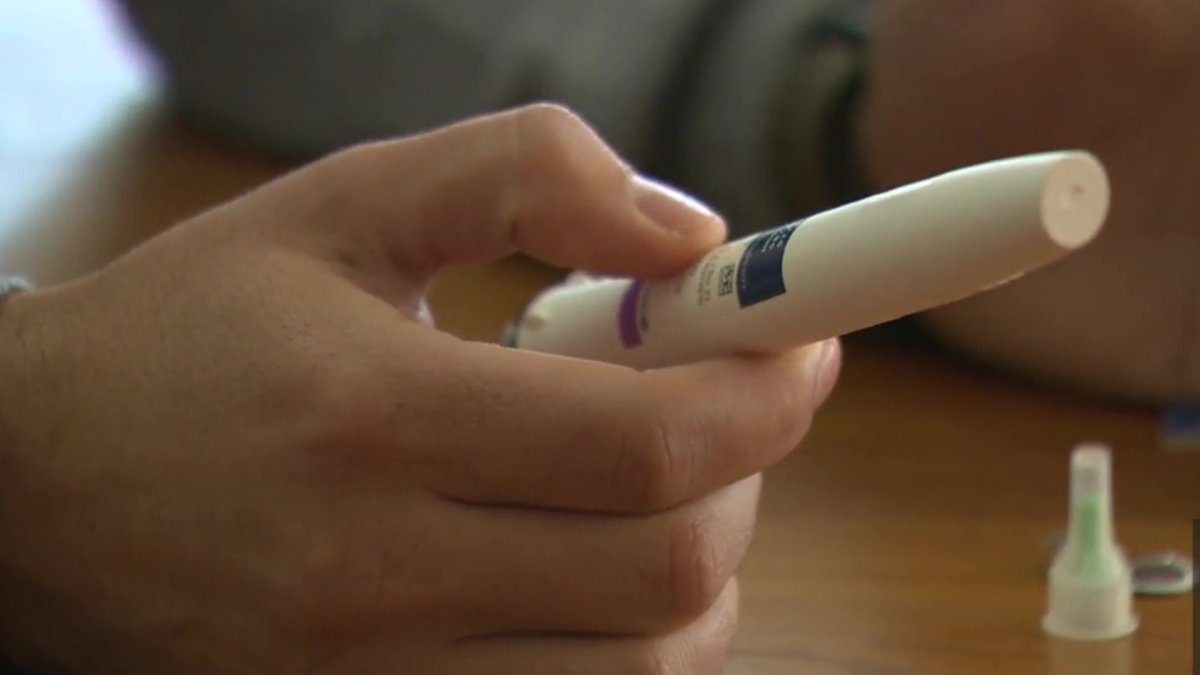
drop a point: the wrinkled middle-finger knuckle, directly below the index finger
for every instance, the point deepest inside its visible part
(695, 572)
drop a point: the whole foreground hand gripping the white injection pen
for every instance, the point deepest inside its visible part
(244, 447)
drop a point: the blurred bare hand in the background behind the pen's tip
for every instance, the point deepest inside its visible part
(956, 82)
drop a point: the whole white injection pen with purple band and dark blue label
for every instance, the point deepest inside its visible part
(896, 254)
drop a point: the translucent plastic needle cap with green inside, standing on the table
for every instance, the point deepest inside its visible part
(1091, 584)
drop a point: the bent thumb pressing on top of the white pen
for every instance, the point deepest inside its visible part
(536, 181)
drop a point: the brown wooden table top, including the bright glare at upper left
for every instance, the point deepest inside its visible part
(907, 535)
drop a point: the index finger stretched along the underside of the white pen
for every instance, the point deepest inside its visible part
(548, 432)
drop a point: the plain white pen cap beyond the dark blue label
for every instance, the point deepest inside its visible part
(940, 241)
